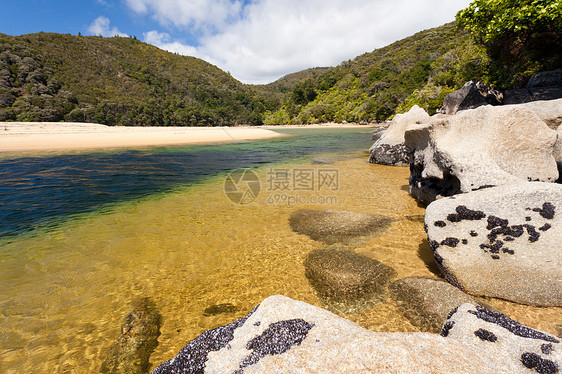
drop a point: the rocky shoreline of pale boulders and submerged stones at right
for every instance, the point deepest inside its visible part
(494, 223)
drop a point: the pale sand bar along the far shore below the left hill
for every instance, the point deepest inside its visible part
(46, 136)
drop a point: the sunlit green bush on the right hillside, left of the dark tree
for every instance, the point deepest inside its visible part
(420, 70)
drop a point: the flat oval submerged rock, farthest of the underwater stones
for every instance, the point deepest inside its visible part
(337, 226)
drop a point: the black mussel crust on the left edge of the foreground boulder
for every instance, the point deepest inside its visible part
(191, 359)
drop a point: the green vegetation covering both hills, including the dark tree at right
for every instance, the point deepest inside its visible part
(122, 81)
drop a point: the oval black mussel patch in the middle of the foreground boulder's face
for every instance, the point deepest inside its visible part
(278, 338)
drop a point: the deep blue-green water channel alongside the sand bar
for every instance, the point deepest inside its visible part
(41, 190)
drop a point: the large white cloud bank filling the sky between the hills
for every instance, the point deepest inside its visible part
(266, 39)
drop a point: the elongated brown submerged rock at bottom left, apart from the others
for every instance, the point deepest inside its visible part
(138, 339)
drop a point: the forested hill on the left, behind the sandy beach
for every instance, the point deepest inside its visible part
(117, 81)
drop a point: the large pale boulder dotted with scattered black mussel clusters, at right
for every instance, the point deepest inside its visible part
(502, 242)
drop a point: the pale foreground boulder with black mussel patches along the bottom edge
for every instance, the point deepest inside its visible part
(286, 336)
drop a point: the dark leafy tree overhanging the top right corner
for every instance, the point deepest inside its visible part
(521, 36)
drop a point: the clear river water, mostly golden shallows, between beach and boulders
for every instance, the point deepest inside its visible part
(66, 287)
